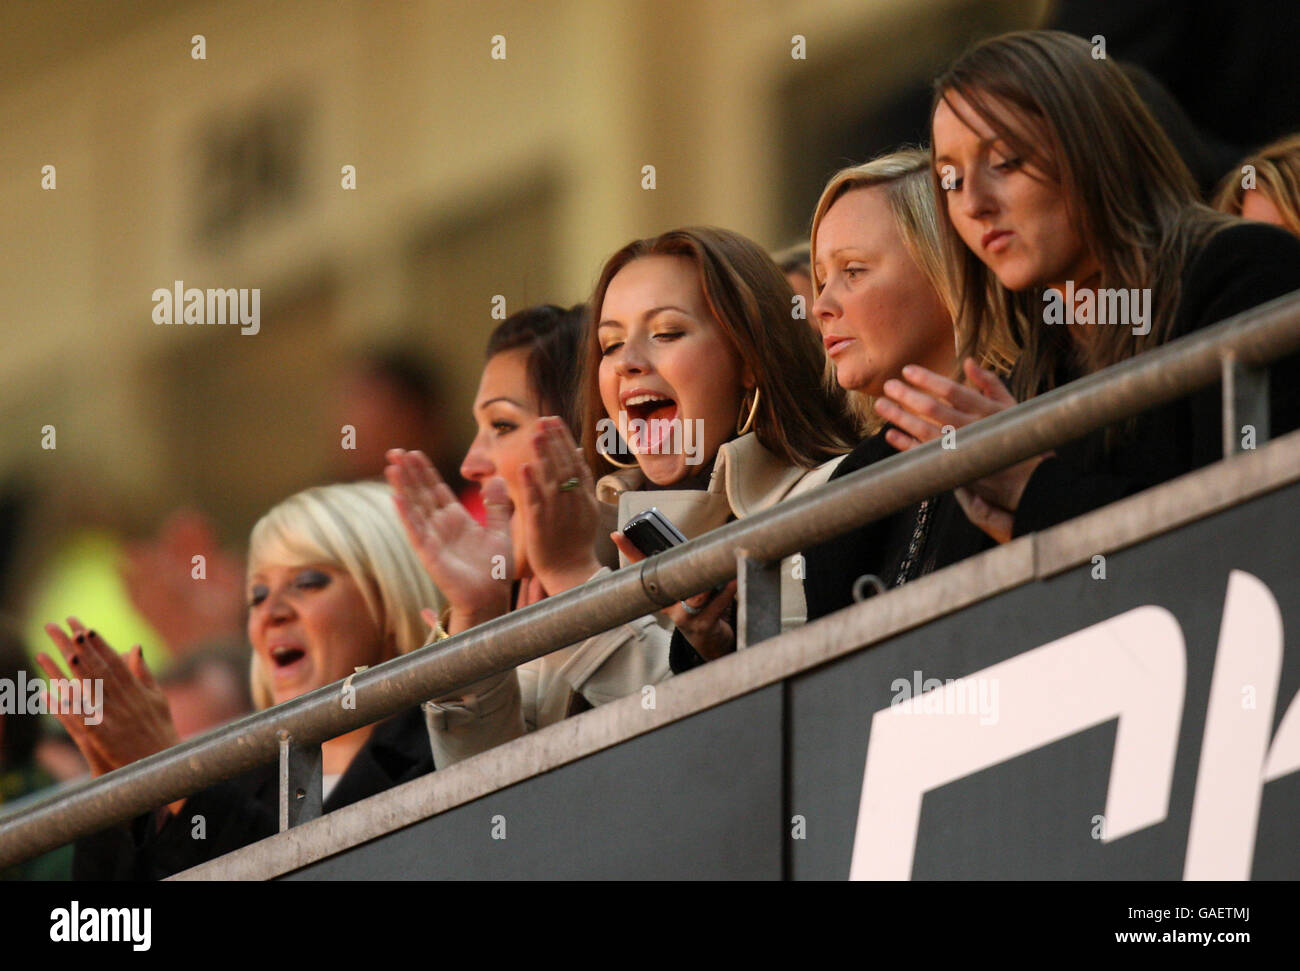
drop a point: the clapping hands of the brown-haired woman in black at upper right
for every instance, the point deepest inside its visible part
(926, 402)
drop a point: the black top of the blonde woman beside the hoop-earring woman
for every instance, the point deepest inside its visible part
(882, 549)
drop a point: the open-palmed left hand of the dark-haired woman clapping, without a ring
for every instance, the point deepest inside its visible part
(460, 554)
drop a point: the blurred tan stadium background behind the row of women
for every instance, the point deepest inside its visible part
(475, 177)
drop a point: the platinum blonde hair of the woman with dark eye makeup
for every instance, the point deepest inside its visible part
(353, 527)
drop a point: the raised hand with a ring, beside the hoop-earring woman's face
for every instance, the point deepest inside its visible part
(560, 526)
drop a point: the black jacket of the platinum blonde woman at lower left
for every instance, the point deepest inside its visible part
(246, 809)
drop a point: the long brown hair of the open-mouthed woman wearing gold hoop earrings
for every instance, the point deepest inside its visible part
(799, 418)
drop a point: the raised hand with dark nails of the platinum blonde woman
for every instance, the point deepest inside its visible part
(133, 719)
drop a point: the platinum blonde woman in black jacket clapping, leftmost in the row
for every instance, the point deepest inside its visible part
(333, 587)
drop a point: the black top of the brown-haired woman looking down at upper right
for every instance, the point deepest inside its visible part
(1240, 268)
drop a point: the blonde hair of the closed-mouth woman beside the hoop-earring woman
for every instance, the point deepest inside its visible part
(905, 177)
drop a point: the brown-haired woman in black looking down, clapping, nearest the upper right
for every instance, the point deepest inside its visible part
(1058, 189)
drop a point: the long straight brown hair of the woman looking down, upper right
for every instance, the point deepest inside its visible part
(1080, 122)
